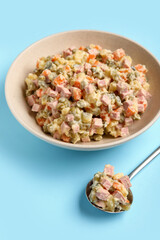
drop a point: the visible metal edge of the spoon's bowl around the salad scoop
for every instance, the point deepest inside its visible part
(88, 190)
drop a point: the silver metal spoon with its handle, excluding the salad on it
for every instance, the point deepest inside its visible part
(131, 175)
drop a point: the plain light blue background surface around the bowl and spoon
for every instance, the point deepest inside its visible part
(42, 186)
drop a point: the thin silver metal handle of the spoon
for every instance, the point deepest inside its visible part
(144, 163)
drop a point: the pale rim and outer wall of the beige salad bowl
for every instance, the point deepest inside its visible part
(62, 144)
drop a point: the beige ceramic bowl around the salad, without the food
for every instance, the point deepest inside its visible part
(25, 63)
